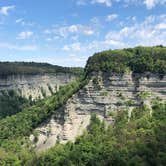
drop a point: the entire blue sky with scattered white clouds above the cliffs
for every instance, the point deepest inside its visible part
(67, 32)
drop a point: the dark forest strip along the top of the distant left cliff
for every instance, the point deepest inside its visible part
(10, 68)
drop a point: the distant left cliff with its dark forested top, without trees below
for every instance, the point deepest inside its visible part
(35, 80)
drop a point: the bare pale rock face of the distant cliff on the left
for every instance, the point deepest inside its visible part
(36, 86)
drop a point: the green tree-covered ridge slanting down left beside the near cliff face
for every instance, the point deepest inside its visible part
(23, 123)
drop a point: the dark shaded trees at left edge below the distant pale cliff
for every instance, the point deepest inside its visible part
(11, 103)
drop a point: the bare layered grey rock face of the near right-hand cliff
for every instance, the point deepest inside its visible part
(104, 95)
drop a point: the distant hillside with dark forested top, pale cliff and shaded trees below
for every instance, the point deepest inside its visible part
(21, 83)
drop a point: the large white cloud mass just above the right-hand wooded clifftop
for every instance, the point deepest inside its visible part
(150, 32)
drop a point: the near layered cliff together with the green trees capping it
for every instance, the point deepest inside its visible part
(115, 84)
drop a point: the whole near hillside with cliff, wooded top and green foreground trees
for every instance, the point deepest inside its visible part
(114, 115)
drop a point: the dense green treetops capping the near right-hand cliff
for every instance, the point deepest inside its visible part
(138, 60)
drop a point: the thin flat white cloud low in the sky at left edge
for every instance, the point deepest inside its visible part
(18, 47)
